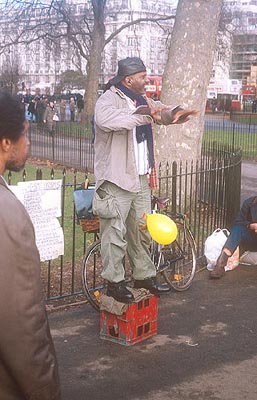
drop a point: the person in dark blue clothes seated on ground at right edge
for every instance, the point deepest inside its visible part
(243, 234)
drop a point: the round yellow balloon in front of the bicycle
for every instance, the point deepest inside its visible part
(161, 228)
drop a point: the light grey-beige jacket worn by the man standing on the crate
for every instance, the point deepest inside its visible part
(114, 147)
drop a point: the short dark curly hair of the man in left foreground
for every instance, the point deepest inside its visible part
(12, 117)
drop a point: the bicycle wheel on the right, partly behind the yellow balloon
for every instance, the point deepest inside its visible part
(180, 259)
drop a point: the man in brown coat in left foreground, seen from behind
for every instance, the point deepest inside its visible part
(28, 365)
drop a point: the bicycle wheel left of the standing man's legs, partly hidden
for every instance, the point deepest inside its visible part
(92, 281)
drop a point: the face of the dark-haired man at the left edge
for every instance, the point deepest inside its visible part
(18, 152)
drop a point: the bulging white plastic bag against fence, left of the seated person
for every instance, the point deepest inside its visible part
(213, 246)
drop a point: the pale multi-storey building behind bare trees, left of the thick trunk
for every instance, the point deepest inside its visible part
(41, 62)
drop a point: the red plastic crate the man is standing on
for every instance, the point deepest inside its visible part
(138, 323)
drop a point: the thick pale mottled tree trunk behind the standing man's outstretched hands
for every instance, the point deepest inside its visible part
(186, 77)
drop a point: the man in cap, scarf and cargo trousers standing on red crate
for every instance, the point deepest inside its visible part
(124, 166)
